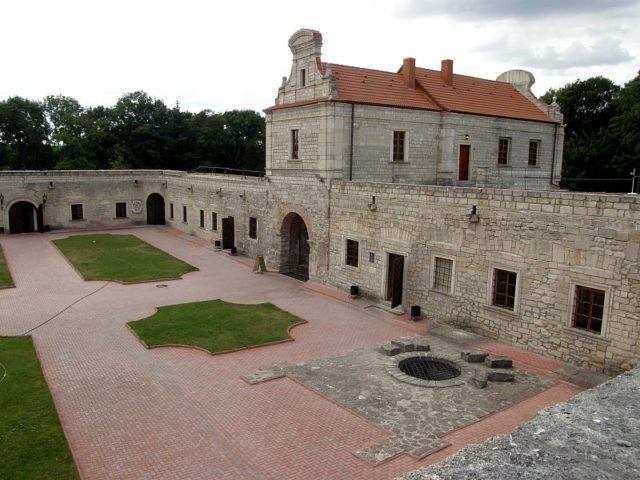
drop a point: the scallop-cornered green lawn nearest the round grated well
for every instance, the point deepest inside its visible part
(215, 325)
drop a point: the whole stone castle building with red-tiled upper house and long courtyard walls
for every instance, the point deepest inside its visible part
(555, 272)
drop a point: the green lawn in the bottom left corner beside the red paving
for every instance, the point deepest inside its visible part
(32, 445)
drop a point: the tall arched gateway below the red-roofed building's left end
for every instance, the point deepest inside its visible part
(295, 246)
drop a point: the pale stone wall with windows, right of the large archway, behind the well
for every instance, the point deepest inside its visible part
(552, 241)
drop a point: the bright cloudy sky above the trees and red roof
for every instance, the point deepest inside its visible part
(233, 54)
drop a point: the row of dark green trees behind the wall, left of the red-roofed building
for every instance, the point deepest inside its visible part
(137, 132)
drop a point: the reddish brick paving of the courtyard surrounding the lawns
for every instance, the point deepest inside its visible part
(174, 413)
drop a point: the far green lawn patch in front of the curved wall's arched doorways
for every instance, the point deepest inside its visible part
(122, 258)
